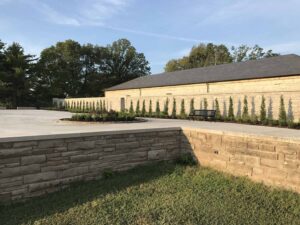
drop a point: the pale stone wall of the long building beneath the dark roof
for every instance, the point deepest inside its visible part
(271, 89)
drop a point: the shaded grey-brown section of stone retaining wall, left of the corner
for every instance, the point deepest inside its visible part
(32, 168)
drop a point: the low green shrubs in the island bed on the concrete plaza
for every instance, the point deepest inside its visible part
(103, 116)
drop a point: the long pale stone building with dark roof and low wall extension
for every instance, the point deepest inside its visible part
(270, 77)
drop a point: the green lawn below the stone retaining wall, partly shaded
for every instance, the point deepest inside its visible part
(163, 193)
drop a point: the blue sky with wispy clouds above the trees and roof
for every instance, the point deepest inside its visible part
(161, 29)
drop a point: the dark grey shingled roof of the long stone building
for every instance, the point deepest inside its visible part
(279, 66)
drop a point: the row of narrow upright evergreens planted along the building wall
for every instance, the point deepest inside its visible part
(284, 120)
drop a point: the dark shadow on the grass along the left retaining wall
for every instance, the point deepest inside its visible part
(80, 193)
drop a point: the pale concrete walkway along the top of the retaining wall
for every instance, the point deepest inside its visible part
(22, 123)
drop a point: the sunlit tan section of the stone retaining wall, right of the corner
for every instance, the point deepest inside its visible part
(269, 160)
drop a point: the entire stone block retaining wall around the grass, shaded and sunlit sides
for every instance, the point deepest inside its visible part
(38, 165)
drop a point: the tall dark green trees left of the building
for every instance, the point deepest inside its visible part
(66, 69)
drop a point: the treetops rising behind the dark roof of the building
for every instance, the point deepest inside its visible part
(203, 55)
